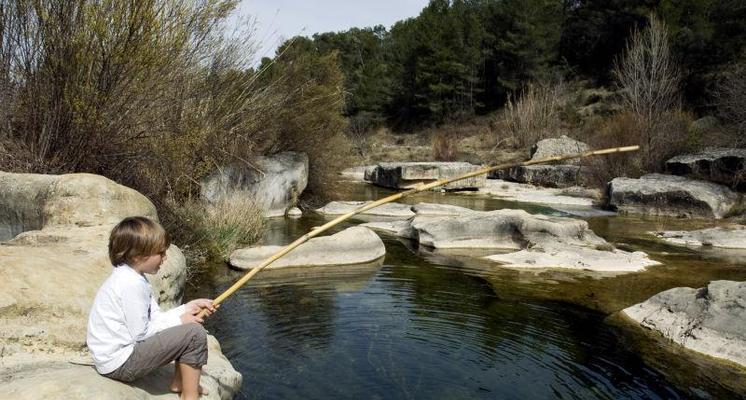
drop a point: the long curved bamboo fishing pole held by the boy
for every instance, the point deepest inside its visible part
(419, 188)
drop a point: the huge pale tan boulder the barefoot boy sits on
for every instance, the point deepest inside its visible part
(49, 278)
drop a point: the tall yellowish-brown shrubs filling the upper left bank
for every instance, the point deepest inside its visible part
(155, 94)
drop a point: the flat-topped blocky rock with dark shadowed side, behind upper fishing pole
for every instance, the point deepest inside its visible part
(407, 175)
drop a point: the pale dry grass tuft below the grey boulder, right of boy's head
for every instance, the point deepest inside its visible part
(214, 229)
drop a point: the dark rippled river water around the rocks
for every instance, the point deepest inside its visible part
(424, 324)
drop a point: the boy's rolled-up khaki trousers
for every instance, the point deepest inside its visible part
(184, 343)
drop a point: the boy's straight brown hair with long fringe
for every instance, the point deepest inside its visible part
(136, 237)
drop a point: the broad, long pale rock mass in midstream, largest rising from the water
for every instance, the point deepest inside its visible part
(541, 241)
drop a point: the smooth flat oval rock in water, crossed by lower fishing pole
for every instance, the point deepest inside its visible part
(356, 245)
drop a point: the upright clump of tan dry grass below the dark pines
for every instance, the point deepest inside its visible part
(536, 114)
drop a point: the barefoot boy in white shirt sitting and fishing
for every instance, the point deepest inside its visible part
(128, 334)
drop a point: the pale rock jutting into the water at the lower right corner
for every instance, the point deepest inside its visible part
(709, 320)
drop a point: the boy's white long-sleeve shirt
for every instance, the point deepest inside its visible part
(123, 313)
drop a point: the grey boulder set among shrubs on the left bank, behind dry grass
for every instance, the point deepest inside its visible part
(274, 182)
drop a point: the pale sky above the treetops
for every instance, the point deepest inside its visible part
(277, 20)
